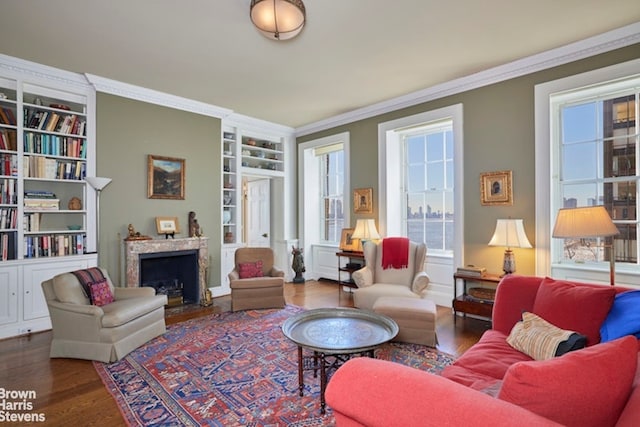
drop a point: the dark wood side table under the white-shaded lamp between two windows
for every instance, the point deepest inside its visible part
(468, 304)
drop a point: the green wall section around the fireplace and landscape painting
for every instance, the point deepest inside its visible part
(128, 131)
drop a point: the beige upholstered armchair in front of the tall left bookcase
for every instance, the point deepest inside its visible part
(107, 333)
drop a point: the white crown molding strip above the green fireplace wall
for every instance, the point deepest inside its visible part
(114, 87)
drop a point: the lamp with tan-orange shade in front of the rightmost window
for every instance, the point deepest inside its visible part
(587, 222)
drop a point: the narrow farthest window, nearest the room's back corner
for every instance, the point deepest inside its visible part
(331, 160)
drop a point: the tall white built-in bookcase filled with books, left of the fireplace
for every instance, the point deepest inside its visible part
(47, 211)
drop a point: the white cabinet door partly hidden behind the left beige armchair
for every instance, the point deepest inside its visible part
(35, 305)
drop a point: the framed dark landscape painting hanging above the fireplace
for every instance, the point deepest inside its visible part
(165, 177)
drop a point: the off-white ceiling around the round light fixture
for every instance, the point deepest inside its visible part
(351, 54)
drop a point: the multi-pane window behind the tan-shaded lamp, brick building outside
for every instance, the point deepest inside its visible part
(596, 141)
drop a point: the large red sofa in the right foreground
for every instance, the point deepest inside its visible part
(494, 384)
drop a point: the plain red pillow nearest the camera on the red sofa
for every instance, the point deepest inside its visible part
(587, 387)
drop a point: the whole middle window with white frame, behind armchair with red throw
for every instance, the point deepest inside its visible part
(418, 176)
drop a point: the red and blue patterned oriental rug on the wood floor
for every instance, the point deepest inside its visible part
(230, 369)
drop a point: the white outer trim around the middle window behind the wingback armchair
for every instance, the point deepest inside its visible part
(385, 132)
